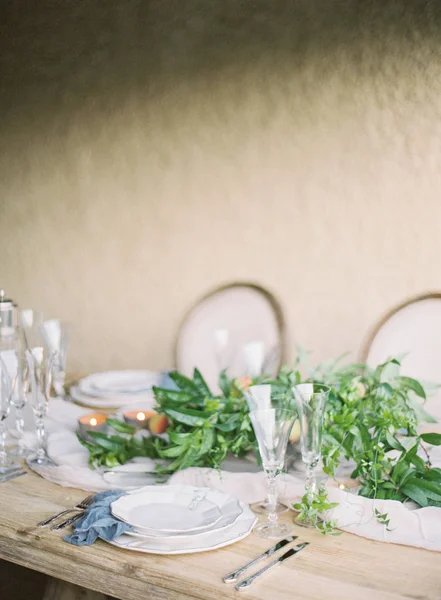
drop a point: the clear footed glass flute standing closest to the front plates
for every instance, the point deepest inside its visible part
(272, 427)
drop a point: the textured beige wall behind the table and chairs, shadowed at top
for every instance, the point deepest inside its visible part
(153, 150)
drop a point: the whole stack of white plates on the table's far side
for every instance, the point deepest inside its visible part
(115, 389)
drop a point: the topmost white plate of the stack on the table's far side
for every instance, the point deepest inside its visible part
(119, 383)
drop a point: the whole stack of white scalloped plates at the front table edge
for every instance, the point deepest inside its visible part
(180, 519)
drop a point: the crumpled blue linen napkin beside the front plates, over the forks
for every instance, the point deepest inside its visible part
(98, 521)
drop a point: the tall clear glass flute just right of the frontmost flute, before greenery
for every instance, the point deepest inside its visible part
(311, 400)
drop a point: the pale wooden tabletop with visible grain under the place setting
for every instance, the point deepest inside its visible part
(342, 568)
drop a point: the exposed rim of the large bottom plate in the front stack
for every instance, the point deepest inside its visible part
(211, 540)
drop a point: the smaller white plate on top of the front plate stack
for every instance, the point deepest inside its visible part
(167, 508)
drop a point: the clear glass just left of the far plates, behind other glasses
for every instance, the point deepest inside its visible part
(56, 336)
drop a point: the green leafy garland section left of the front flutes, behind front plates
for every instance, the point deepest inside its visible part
(203, 428)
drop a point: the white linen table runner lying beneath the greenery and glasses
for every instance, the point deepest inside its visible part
(355, 514)
